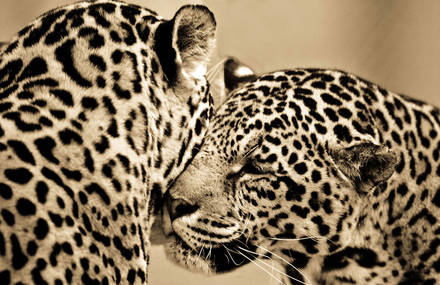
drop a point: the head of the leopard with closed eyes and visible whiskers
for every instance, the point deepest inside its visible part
(272, 180)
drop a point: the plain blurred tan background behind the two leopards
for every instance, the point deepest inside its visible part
(395, 43)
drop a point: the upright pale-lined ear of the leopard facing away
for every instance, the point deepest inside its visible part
(185, 43)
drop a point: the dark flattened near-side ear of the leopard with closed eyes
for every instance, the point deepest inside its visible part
(365, 165)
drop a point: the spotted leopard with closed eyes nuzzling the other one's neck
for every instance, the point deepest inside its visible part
(332, 178)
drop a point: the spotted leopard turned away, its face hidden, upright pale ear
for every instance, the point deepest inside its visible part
(102, 105)
